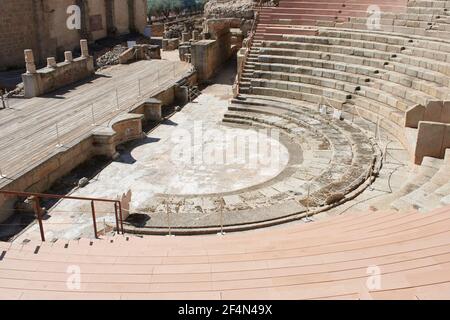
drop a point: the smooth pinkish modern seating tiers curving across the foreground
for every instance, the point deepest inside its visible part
(328, 259)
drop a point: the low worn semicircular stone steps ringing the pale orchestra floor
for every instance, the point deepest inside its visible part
(329, 159)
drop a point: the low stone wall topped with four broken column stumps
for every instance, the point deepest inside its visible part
(56, 75)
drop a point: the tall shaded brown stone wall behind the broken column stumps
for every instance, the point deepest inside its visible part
(40, 25)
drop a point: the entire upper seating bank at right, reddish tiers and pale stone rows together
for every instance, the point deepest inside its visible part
(373, 74)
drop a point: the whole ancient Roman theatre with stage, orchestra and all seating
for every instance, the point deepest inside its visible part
(288, 153)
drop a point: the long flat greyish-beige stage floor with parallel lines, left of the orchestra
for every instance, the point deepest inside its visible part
(34, 129)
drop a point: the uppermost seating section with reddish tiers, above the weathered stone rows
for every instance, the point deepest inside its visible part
(426, 18)
